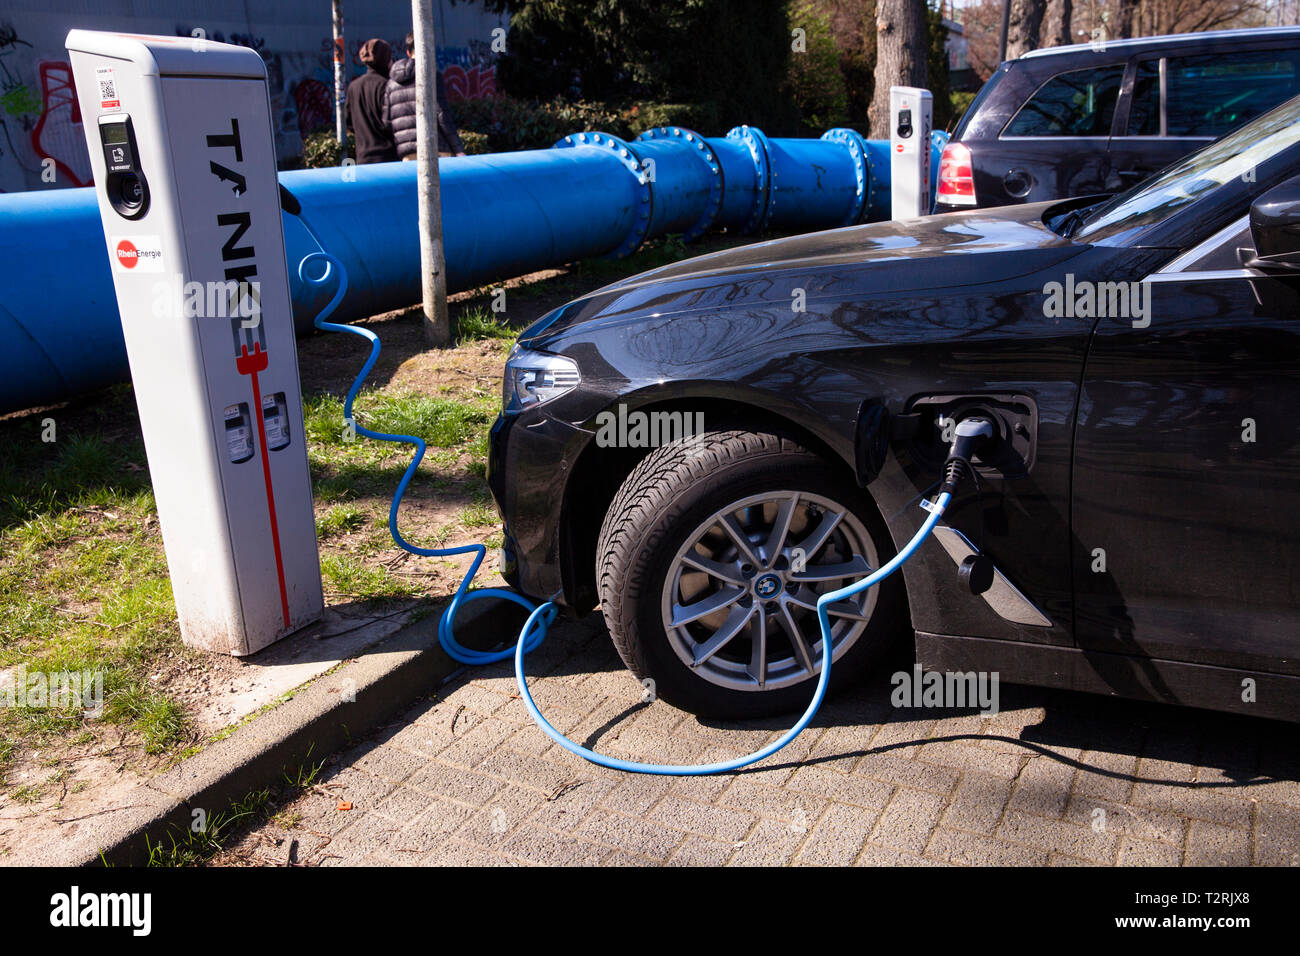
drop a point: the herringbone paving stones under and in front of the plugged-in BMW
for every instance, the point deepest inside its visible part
(1052, 780)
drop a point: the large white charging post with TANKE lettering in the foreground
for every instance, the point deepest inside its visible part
(181, 148)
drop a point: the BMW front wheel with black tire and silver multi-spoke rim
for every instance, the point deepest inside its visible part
(658, 530)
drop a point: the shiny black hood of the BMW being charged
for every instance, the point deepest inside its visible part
(856, 262)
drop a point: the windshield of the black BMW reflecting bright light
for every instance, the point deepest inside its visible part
(1233, 157)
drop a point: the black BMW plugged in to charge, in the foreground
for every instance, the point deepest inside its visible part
(705, 449)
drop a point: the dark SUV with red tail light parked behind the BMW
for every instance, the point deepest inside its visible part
(1100, 118)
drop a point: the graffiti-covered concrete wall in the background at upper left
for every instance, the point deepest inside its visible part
(41, 137)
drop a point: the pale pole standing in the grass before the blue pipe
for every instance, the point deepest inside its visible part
(434, 274)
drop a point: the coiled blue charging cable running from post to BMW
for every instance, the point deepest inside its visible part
(541, 617)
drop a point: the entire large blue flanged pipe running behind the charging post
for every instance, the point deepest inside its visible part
(504, 215)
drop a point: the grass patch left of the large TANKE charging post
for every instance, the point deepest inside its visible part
(84, 582)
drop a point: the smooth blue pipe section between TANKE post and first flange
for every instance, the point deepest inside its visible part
(502, 215)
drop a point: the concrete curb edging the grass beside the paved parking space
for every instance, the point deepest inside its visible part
(330, 715)
